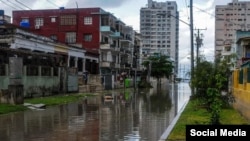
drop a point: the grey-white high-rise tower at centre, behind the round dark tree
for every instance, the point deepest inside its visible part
(159, 28)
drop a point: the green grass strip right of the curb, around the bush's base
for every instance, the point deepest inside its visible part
(193, 115)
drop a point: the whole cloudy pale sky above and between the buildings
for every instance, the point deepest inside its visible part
(128, 11)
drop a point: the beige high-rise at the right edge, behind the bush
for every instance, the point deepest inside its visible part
(230, 18)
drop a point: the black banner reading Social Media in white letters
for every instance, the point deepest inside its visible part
(235, 132)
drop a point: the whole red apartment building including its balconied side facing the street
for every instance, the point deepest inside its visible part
(108, 41)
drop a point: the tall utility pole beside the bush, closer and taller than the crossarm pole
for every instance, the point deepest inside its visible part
(192, 43)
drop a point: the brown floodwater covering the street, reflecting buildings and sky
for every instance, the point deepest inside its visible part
(141, 115)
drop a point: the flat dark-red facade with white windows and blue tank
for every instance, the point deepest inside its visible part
(80, 27)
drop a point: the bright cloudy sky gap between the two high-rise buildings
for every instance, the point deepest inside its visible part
(203, 23)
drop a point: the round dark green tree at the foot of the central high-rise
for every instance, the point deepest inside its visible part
(159, 66)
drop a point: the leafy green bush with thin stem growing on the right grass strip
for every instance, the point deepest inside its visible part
(210, 80)
